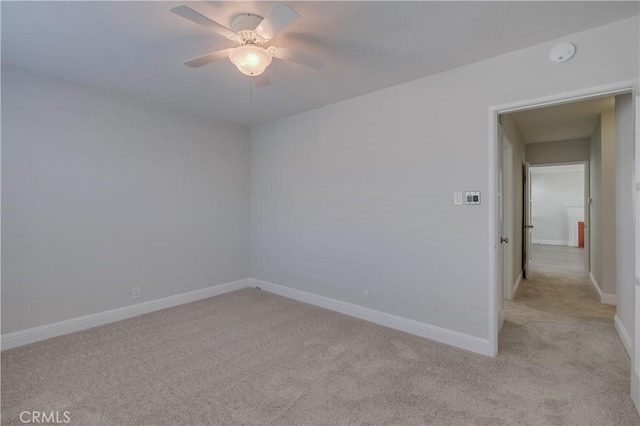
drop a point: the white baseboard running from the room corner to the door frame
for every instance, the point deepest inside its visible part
(442, 335)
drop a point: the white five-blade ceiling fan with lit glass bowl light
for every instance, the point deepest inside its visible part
(252, 33)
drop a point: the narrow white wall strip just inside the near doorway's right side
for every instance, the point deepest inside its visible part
(625, 179)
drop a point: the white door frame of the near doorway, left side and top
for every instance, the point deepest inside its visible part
(494, 113)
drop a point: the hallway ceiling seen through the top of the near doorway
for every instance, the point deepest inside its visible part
(574, 120)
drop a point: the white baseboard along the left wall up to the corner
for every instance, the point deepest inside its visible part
(31, 335)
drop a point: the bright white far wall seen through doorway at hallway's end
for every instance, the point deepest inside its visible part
(557, 204)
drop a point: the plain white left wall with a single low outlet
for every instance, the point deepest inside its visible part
(101, 193)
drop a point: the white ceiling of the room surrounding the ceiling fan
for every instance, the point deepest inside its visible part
(138, 47)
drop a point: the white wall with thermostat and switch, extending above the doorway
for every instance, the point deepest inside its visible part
(359, 195)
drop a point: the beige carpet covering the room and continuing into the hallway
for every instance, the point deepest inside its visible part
(251, 357)
